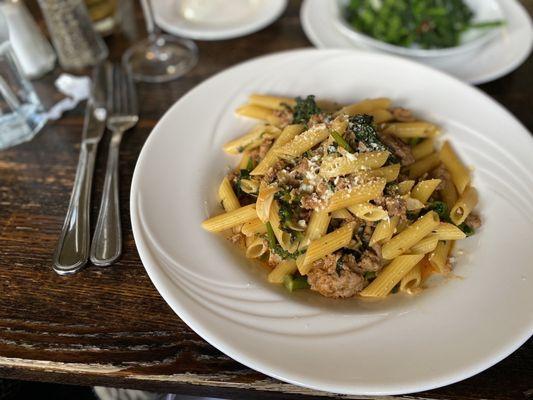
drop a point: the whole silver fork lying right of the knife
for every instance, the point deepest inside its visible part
(123, 115)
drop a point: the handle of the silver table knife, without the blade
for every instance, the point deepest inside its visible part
(72, 251)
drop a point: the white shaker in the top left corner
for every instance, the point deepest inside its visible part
(34, 53)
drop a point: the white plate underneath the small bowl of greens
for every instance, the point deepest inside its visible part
(505, 52)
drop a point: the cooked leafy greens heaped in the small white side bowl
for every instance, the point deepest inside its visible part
(426, 24)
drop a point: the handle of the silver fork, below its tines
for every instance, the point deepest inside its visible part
(107, 240)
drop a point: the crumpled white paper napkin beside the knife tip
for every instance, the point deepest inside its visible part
(76, 88)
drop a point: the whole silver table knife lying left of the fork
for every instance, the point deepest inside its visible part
(72, 251)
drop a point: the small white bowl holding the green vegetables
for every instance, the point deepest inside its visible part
(471, 40)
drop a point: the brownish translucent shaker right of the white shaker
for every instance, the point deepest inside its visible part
(76, 42)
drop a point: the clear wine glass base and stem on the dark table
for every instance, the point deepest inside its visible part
(159, 57)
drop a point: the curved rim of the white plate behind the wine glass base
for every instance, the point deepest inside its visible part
(223, 34)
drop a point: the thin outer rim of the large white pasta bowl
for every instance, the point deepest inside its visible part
(162, 286)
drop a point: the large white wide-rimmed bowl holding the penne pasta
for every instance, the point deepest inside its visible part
(403, 344)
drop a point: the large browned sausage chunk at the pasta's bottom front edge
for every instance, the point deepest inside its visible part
(332, 280)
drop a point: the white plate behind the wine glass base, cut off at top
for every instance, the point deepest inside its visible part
(249, 17)
